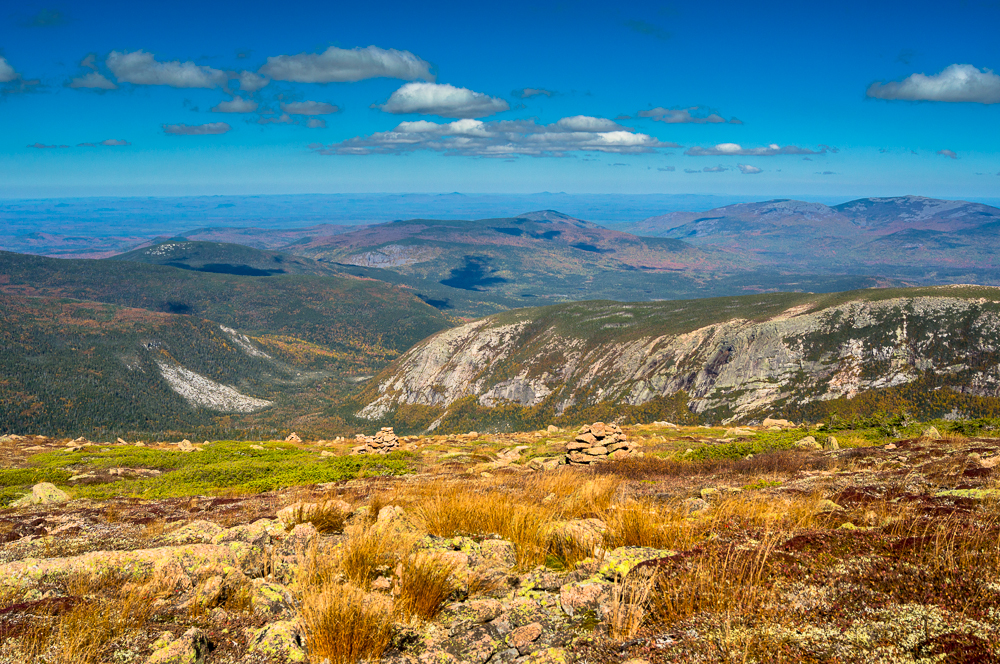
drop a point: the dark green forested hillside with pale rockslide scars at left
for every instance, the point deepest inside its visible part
(321, 334)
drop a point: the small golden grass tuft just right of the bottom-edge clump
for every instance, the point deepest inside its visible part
(424, 581)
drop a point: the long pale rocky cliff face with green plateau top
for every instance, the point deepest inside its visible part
(734, 357)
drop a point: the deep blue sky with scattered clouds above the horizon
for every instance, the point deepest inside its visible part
(789, 99)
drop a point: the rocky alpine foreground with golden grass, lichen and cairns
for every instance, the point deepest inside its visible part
(774, 543)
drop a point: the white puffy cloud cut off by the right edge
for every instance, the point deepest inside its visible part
(956, 83)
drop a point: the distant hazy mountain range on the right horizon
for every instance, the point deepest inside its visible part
(922, 240)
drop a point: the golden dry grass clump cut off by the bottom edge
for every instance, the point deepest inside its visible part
(345, 624)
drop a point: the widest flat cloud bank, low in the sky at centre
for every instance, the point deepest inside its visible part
(476, 138)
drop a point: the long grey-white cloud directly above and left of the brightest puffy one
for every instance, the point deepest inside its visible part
(338, 65)
